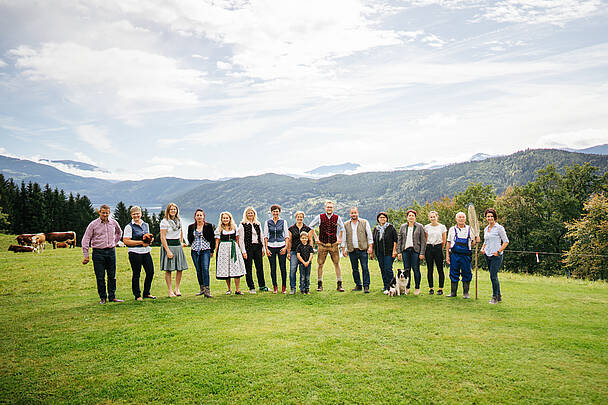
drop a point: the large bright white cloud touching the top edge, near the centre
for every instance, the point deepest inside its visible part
(274, 39)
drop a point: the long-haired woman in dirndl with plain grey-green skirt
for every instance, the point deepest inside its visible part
(172, 256)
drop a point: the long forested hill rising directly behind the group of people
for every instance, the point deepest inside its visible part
(375, 191)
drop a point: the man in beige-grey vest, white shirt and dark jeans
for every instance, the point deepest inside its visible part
(358, 242)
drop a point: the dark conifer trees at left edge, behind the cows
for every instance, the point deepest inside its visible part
(27, 208)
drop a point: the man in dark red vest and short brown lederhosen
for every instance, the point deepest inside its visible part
(329, 239)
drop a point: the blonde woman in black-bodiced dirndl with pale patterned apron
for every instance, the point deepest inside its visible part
(228, 257)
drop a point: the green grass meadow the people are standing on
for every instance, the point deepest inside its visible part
(546, 343)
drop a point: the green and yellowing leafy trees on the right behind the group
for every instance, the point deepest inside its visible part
(557, 215)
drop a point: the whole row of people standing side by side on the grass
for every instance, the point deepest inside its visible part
(238, 249)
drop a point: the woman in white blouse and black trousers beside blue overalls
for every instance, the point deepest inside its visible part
(435, 243)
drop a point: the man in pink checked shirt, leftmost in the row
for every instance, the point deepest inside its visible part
(102, 235)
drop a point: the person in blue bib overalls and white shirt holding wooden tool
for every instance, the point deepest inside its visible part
(460, 240)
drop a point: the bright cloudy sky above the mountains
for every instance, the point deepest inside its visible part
(215, 89)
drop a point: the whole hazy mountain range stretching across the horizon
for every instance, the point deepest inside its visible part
(371, 191)
